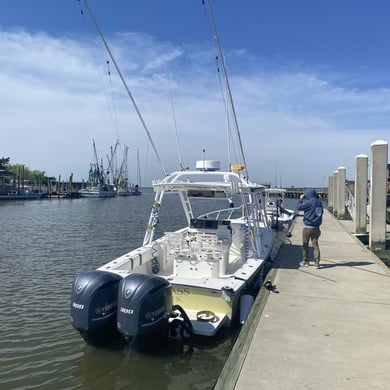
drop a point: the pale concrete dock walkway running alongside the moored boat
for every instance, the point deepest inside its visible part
(324, 328)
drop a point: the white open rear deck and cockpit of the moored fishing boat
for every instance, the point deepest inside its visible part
(197, 259)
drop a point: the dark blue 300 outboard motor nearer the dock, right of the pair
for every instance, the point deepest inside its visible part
(143, 302)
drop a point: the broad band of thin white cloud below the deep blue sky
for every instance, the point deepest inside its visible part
(55, 96)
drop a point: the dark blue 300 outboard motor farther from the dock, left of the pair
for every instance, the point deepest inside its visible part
(94, 306)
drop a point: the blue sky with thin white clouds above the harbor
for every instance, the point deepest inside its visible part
(310, 82)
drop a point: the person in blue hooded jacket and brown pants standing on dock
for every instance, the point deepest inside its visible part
(312, 220)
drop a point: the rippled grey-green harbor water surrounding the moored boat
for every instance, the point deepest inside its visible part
(44, 244)
